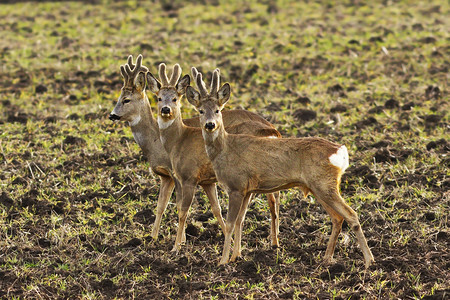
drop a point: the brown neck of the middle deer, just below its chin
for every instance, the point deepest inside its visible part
(171, 131)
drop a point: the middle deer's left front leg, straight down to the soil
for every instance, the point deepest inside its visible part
(184, 203)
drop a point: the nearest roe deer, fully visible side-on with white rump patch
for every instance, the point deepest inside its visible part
(247, 164)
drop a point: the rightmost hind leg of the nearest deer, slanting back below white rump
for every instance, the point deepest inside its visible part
(335, 201)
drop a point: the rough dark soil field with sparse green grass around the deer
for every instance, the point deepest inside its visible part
(77, 200)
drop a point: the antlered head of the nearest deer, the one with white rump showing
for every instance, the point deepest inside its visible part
(208, 104)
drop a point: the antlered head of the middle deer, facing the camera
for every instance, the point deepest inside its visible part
(168, 92)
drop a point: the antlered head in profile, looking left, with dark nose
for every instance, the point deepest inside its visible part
(132, 97)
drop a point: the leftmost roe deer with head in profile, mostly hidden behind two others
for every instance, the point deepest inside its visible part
(134, 107)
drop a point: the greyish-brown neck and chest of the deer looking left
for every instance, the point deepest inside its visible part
(146, 134)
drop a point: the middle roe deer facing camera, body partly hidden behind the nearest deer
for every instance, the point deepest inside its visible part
(186, 150)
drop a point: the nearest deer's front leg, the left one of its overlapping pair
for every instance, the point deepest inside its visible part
(234, 207)
